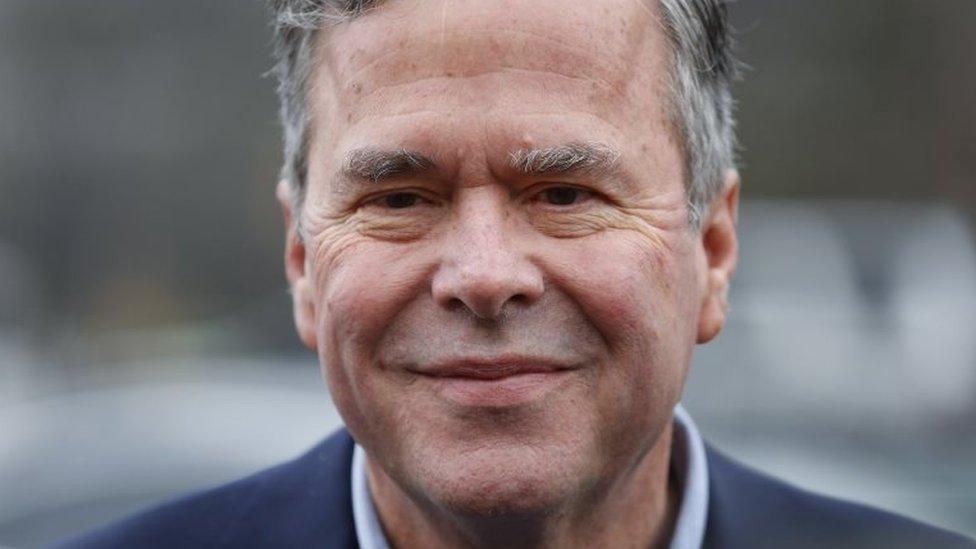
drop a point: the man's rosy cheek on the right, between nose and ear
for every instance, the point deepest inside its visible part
(640, 294)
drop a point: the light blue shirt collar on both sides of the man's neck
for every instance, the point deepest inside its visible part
(687, 462)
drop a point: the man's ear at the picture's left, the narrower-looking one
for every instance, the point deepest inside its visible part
(295, 269)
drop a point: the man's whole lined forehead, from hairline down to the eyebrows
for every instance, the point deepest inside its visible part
(516, 67)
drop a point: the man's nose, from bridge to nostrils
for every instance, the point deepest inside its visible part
(482, 267)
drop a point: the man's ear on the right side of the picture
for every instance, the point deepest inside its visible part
(721, 247)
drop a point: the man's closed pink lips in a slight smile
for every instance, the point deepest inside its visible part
(495, 382)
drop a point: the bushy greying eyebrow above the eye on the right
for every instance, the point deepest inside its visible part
(571, 157)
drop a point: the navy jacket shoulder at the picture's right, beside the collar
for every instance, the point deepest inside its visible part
(750, 509)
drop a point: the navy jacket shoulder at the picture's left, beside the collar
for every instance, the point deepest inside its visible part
(300, 503)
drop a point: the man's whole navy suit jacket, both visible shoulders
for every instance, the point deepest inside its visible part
(306, 503)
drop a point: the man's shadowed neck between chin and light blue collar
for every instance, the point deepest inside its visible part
(637, 509)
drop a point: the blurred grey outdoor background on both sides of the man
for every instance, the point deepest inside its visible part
(146, 341)
